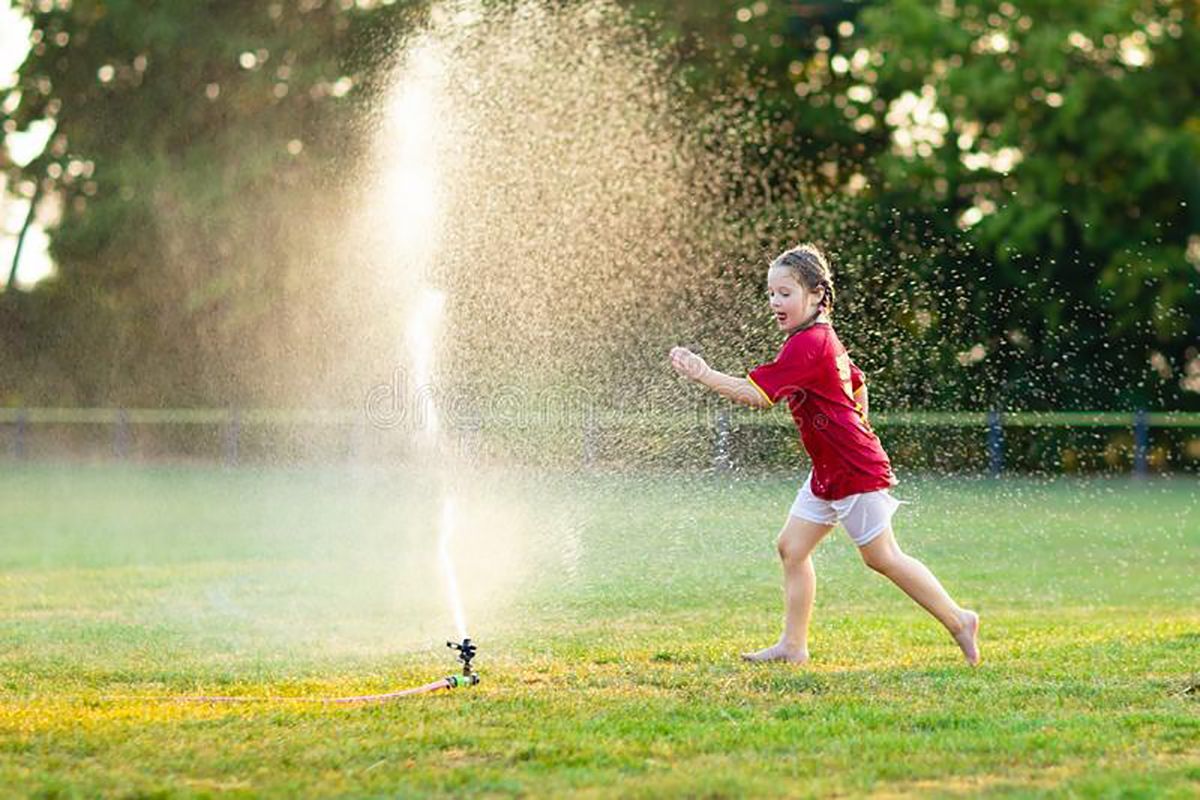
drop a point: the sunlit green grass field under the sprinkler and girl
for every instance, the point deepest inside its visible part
(610, 612)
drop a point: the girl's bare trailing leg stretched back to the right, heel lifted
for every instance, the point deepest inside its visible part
(884, 556)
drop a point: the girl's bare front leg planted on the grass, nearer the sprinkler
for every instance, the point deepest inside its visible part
(797, 542)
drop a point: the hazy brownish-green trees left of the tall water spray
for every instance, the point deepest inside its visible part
(200, 151)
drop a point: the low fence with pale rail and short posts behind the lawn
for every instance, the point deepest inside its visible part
(721, 420)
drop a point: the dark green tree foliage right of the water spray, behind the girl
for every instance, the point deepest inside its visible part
(1019, 184)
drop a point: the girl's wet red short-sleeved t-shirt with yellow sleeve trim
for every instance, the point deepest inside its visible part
(815, 374)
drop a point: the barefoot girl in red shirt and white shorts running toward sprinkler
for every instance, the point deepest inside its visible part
(851, 476)
